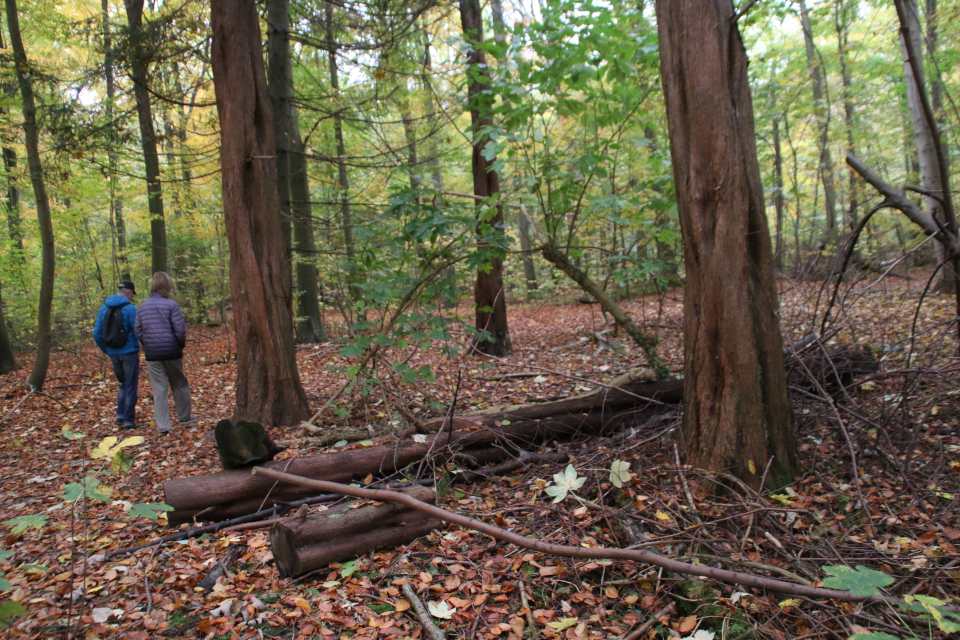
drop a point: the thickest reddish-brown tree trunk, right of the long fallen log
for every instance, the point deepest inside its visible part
(737, 415)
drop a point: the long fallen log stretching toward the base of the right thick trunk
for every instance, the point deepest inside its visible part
(491, 436)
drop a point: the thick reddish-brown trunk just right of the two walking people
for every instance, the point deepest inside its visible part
(268, 387)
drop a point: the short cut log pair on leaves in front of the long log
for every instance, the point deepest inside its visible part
(303, 544)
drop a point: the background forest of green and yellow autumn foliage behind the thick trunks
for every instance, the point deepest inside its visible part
(374, 157)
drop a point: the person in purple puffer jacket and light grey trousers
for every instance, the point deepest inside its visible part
(162, 331)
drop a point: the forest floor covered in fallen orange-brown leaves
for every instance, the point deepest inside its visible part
(897, 513)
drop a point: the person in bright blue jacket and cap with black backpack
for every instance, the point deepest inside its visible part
(125, 359)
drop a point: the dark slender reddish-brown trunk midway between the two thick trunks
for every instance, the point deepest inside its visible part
(489, 296)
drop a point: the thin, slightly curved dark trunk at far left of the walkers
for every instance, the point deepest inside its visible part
(32, 139)
